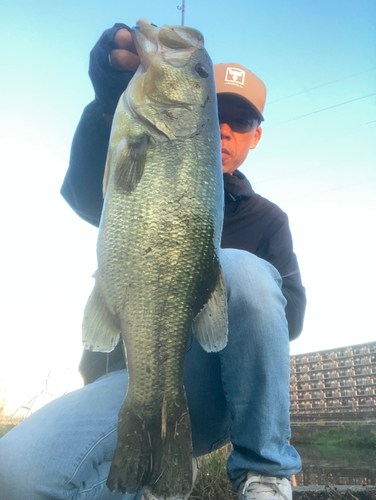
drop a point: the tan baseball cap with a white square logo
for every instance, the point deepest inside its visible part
(232, 78)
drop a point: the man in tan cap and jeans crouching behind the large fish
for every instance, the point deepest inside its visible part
(240, 394)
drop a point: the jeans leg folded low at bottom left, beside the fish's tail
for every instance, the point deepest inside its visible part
(65, 449)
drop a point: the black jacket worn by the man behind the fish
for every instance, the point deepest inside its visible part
(251, 222)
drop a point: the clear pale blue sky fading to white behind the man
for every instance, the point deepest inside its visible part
(316, 160)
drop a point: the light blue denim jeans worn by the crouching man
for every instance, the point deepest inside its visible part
(240, 394)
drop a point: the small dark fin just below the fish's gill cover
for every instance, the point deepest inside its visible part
(130, 162)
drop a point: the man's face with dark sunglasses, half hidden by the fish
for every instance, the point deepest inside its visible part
(240, 131)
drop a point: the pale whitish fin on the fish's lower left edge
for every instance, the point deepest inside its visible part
(100, 328)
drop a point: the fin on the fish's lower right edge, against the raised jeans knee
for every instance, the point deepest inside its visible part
(210, 327)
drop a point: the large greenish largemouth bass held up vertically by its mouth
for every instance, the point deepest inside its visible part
(159, 276)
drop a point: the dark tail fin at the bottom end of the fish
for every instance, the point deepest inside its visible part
(167, 470)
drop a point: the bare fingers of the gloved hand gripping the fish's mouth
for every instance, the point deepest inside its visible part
(125, 57)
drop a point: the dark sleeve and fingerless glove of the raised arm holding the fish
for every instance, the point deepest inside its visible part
(82, 186)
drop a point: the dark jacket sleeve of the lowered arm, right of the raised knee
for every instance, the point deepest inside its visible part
(280, 254)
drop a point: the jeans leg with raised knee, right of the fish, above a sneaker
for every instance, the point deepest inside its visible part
(255, 369)
